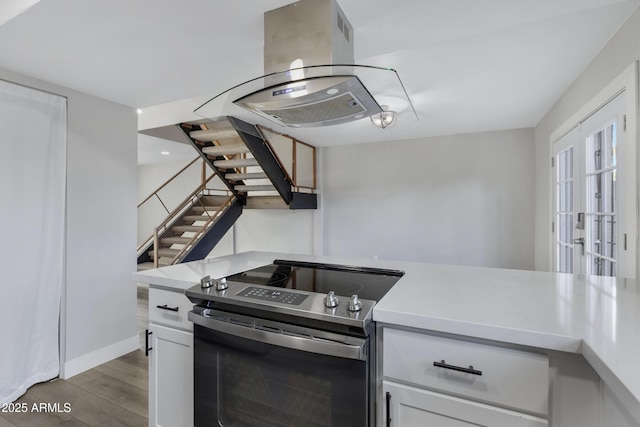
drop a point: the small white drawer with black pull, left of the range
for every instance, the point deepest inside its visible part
(169, 308)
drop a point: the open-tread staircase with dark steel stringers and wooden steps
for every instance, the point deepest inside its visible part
(244, 162)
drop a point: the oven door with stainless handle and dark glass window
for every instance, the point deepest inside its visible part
(252, 372)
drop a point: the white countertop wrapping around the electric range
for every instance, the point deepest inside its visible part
(597, 317)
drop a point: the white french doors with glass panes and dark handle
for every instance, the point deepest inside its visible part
(594, 180)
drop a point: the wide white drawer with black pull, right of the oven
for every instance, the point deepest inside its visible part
(510, 378)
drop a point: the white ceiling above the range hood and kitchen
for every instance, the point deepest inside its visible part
(468, 65)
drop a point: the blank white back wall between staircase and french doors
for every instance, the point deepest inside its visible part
(461, 199)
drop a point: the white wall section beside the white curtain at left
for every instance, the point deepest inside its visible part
(99, 303)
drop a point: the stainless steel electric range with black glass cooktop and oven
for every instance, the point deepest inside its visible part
(288, 344)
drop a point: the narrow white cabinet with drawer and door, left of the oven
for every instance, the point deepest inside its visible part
(170, 360)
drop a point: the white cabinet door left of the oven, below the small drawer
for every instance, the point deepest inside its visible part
(170, 377)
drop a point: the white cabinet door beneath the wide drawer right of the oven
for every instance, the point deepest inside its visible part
(414, 407)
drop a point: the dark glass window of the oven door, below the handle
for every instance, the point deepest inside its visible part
(239, 382)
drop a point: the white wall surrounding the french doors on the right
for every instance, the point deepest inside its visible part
(613, 59)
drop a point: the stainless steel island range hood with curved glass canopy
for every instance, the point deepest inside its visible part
(310, 79)
